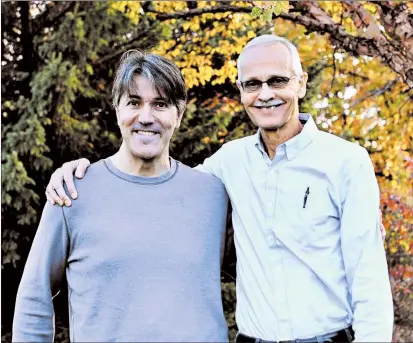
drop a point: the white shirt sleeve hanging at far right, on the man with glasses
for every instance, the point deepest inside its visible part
(364, 256)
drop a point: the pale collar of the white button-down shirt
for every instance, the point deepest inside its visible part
(297, 143)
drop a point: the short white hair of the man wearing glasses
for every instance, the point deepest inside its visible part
(297, 69)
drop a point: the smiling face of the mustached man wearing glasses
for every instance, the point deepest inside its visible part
(270, 107)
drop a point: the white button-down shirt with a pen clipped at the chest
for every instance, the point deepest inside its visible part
(306, 264)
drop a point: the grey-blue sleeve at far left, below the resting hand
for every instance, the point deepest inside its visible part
(44, 270)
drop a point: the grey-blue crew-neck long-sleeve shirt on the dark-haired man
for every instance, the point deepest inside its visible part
(141, 257)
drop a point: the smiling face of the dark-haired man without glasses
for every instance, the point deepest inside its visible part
(147, 120)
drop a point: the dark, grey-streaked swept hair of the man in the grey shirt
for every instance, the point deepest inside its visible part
(161, 72)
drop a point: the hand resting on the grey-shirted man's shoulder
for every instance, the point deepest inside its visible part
(55, 192)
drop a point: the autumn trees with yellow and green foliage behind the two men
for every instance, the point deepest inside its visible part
(58, 60)
